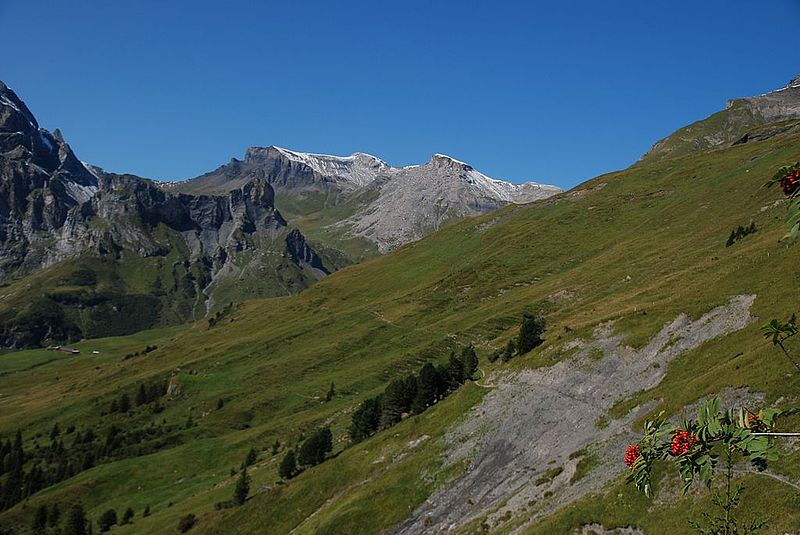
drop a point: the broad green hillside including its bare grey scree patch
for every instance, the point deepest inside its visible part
(647, 310)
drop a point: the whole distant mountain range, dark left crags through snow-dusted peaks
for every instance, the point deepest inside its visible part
(160, 253)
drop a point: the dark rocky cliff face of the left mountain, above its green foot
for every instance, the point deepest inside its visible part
(54, 208)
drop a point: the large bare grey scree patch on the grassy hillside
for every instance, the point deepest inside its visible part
(534, 420)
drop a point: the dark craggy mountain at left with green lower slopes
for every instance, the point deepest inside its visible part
(87, 253)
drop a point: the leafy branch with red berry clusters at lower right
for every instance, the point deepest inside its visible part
(695, 445)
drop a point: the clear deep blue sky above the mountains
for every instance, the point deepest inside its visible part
(549, 91)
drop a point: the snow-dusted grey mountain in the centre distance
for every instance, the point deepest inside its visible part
(341, 200)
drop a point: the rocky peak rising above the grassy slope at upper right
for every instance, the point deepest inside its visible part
(743, 120)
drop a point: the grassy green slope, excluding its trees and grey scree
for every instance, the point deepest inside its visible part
(645, 240)
